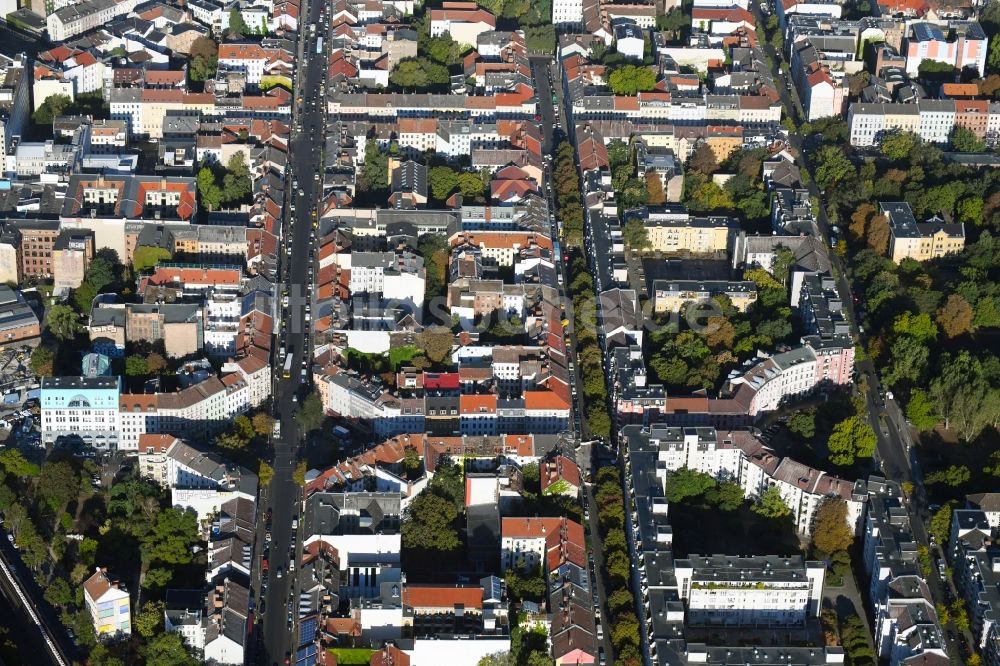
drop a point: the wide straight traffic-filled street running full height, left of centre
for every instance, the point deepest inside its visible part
(283, 496)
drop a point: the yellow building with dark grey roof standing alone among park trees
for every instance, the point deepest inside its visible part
(920, 241)
